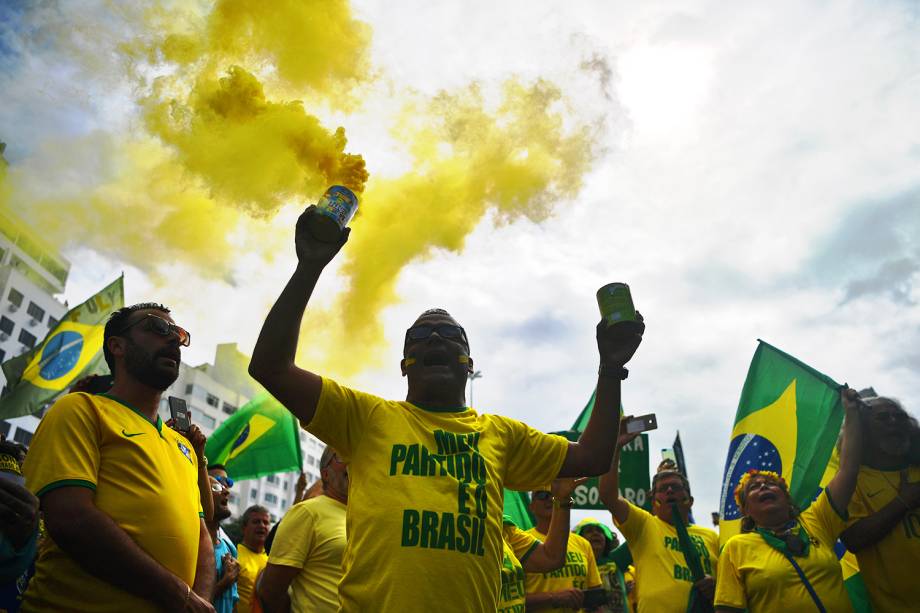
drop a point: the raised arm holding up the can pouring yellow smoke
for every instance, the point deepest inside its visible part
(272, 362)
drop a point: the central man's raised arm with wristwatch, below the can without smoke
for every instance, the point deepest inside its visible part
(592, 453)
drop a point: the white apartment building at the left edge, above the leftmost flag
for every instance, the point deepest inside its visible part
(32, 273)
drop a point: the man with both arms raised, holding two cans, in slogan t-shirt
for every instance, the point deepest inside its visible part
(424, 516)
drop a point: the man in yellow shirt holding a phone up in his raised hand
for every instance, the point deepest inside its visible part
(663, 579)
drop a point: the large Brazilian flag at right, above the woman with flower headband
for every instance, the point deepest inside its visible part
(788, 421)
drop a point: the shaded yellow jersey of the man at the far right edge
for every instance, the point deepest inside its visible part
(888, 568)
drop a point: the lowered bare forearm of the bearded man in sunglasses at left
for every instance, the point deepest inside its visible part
(103, 549)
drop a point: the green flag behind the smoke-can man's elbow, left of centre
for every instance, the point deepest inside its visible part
(261, 438)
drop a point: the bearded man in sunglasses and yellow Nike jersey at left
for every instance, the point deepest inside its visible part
(119, 490)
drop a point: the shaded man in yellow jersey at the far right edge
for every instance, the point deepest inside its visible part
(884, 525)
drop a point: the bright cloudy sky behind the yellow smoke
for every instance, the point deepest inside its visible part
(755, 173)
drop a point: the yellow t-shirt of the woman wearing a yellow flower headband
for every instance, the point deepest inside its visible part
(755, 576)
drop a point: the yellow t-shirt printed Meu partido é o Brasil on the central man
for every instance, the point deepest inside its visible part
(425, 498)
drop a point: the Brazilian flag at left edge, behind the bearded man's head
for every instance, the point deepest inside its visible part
(73, 349)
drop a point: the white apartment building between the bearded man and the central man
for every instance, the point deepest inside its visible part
(215, 391)
